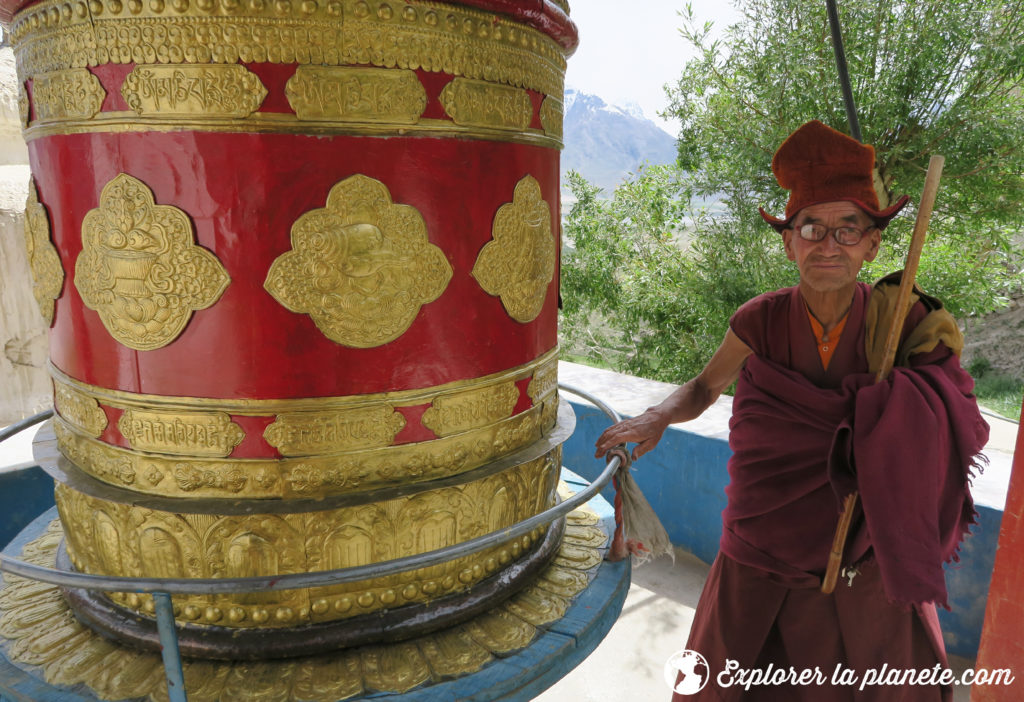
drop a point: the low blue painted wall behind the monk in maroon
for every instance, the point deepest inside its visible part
(685, 481)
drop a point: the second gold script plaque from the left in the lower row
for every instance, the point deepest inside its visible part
(202, 434)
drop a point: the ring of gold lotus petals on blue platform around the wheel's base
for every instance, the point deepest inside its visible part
(69, 653)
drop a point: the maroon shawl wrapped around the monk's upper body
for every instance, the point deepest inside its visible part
(907, 445)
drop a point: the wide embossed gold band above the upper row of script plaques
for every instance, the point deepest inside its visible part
(62, 34)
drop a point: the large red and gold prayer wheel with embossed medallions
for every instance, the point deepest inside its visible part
(301, 258)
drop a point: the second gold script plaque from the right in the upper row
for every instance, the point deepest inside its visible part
(479, 104)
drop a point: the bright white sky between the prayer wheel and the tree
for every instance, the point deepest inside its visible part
(630, 49)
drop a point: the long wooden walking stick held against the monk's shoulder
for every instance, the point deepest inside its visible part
(889, 355)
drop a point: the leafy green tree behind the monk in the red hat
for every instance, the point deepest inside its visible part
(930, 77)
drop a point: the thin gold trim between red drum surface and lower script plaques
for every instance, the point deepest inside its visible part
(545, 364)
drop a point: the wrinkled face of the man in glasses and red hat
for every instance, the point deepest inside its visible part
(828, 266)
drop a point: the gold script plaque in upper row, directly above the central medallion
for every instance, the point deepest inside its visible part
(357, 95)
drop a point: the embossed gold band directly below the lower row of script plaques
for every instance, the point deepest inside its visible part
(318, 476)
